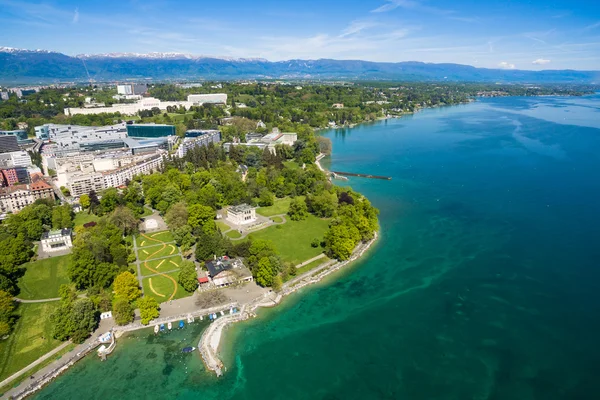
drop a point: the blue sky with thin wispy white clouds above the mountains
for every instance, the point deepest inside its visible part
(532, 34)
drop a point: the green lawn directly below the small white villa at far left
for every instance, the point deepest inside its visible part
(43, 278)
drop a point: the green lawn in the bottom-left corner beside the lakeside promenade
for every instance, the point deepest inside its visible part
(31, 338)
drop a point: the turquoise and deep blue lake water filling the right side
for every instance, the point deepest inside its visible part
(484, 285)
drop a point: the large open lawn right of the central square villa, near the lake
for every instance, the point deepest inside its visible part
(293, 238)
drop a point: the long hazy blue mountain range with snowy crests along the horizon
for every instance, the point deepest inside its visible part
(42, 66)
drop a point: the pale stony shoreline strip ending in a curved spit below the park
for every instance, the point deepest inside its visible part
(208, 346)
